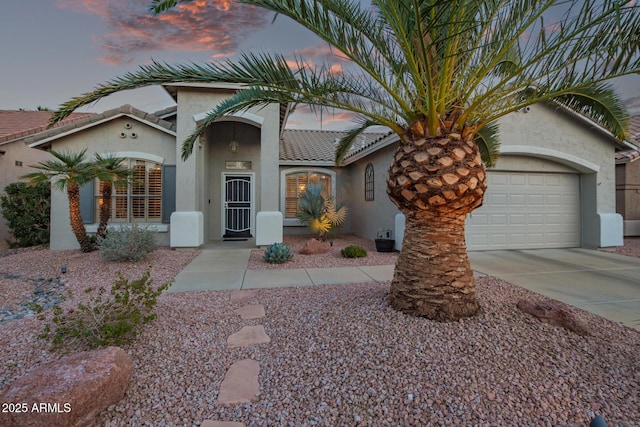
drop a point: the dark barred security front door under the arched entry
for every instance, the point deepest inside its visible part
(238, 205)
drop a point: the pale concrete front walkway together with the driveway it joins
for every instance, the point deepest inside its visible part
(602, 283)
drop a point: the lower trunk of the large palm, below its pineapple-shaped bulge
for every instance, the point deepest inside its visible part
(433, 277)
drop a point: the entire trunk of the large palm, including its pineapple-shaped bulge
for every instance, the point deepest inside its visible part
(435, 182)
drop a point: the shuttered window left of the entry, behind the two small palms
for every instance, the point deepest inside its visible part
(139, 201)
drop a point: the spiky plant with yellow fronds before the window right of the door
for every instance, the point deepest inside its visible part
(318, 211)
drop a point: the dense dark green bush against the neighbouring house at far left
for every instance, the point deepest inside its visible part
(26, 208)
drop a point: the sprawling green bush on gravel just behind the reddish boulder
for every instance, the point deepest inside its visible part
(108, 319)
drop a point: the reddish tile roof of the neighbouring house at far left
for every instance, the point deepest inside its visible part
(16, 124)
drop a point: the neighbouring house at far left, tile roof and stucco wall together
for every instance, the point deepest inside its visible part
(15, 156)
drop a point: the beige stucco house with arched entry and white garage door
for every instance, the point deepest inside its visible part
(553, 186)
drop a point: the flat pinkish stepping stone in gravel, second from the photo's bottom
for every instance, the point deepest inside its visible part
(240, 383)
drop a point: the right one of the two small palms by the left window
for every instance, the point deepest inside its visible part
(111, 171)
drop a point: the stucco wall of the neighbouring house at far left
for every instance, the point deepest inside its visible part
(13, 164)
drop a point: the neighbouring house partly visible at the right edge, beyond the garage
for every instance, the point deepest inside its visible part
(628, 183)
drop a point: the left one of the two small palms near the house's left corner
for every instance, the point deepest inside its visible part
(67, 171)
